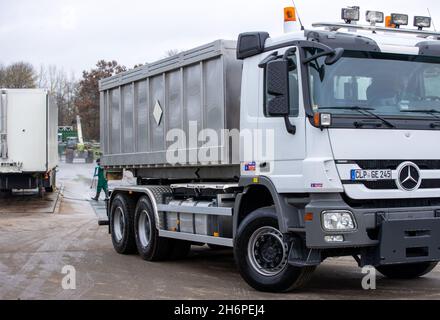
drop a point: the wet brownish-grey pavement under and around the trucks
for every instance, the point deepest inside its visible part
(35, 246)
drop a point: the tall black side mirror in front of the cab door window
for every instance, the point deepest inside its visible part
(277, 82)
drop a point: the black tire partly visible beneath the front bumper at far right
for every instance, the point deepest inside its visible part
(407, 271)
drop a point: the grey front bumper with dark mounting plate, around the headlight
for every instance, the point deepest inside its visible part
(383, 236)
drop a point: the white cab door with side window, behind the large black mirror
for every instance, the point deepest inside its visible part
(281, 154)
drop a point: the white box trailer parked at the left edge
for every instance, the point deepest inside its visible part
(28, 139)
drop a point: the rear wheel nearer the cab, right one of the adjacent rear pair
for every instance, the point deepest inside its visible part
(150, 246)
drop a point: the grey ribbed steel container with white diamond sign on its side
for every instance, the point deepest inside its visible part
(140, 106)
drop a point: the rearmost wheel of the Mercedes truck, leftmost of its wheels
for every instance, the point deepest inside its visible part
(122, 225)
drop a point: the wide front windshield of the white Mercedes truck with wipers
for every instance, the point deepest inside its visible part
(403, 86)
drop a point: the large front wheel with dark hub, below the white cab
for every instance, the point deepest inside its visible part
(278, 276)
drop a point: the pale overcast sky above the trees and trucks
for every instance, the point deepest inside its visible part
(74, 34)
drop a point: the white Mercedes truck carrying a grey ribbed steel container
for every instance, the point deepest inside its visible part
(342, 121)
